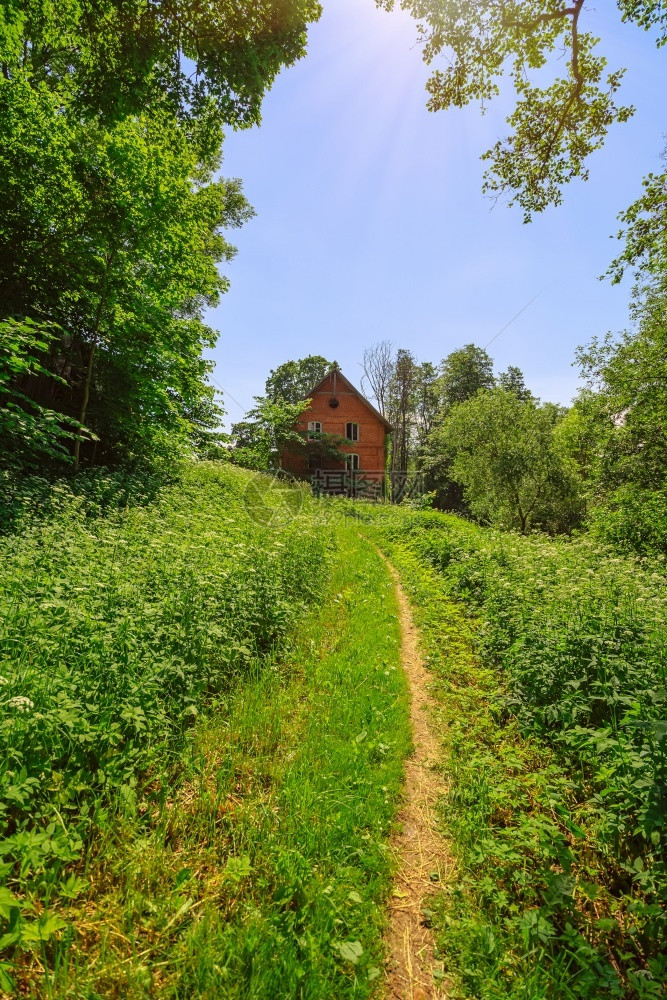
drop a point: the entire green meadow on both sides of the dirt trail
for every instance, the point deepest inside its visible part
(204, 722)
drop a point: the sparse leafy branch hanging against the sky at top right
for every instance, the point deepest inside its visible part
(486, 44)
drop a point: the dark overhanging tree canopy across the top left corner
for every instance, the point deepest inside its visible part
(117, 58)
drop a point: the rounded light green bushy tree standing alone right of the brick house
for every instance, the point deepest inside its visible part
(505, 455)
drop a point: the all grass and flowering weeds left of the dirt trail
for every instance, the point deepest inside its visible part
(243, 851)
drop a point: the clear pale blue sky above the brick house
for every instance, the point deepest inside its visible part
(371, 223)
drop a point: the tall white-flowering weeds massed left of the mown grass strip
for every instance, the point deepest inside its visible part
(117, 625)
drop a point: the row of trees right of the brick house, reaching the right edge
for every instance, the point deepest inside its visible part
(488, 447)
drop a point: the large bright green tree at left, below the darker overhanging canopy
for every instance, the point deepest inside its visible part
(113, 232)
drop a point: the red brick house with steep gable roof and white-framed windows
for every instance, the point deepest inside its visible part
(339, 409)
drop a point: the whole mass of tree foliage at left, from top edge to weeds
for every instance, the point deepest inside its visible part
(112, 212)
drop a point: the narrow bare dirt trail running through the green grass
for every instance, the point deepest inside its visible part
(424, 861)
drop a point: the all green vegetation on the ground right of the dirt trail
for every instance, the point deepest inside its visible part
(550, 659)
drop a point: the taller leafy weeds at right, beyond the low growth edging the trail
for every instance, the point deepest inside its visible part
(579, 637)
